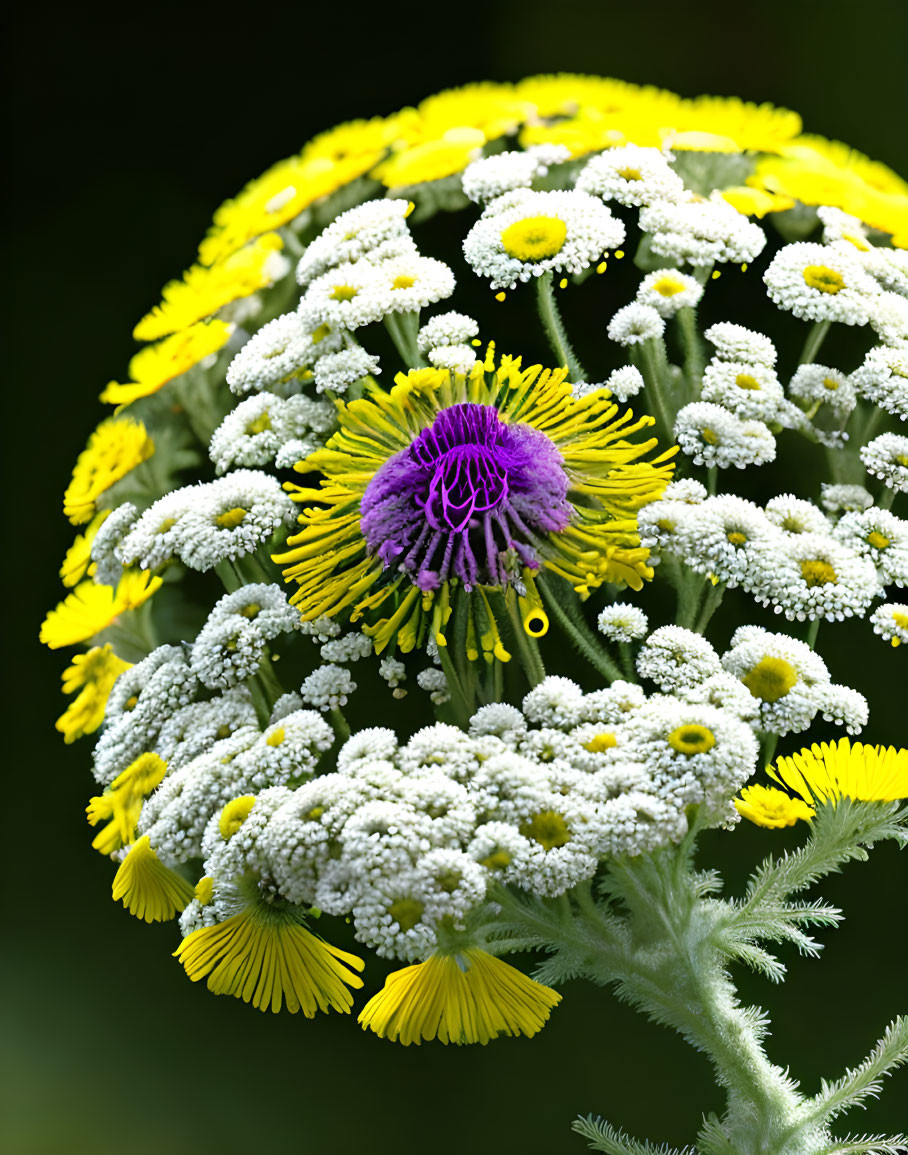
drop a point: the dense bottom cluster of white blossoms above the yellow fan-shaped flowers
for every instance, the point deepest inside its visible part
(408, 838)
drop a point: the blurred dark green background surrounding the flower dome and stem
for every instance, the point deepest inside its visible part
(123, 137)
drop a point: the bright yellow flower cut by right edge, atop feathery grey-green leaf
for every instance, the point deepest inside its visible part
(831, 771)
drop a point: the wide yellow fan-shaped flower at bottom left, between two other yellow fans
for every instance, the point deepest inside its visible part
(267, 957)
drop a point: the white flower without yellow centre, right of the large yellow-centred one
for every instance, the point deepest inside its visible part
(702, 233)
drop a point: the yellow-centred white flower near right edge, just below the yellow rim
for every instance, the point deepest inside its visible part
(821, 284)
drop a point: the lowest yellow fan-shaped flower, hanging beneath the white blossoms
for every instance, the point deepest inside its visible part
(466, 998)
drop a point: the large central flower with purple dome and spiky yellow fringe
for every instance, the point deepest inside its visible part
(471, 483)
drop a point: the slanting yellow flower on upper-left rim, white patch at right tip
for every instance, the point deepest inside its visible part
(203, 292)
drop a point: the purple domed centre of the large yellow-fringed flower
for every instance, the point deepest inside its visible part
(471, 498)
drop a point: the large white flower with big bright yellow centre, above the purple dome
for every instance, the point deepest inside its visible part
(526, 234)
